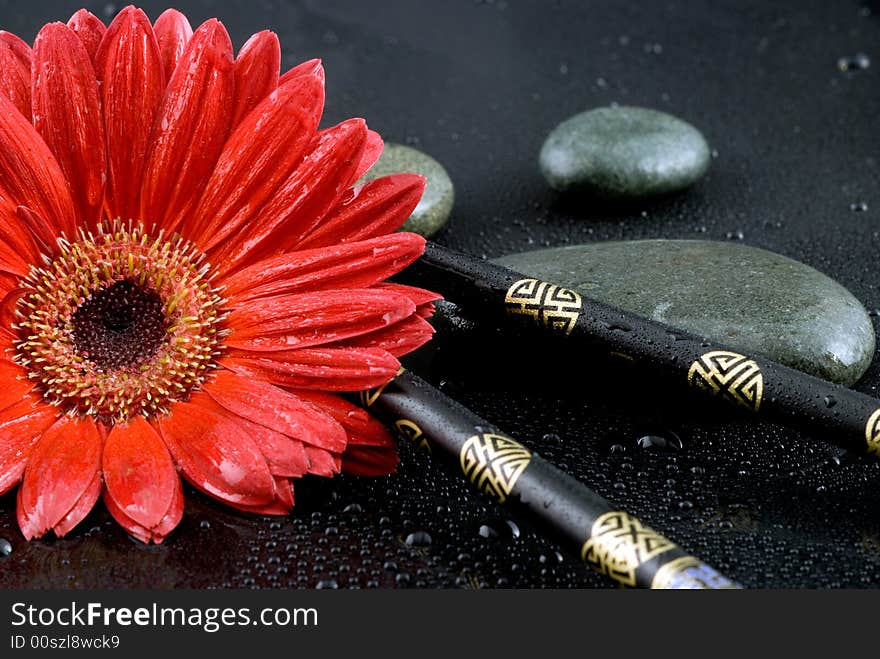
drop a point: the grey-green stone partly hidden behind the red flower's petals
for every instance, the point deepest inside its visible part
(436, 203)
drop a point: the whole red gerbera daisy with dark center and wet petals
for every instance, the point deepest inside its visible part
(187, 274)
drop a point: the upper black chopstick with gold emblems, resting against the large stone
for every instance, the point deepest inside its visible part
(572, 323)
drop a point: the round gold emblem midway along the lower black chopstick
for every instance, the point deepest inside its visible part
(494, 463)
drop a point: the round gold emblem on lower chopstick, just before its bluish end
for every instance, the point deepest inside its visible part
(619, 544)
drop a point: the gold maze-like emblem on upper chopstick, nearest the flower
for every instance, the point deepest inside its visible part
(548, 304)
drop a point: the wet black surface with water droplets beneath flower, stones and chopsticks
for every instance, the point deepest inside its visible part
(478, 85)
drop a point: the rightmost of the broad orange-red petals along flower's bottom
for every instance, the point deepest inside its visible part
(216, 454)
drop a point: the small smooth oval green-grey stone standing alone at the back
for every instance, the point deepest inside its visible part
(624, 153)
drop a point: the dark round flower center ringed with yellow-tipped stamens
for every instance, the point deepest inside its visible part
(119, 323)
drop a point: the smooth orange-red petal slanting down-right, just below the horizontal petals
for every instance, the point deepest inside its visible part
(275, 409)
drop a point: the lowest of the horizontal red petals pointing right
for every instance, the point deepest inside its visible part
(330, 369)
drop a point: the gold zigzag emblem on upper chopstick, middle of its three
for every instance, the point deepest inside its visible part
(729, 374)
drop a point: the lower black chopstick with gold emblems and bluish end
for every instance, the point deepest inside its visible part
(611, 541)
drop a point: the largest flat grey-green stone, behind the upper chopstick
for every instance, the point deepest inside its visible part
(750, 299)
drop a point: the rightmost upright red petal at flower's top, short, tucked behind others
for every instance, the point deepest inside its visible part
(256, 72)
